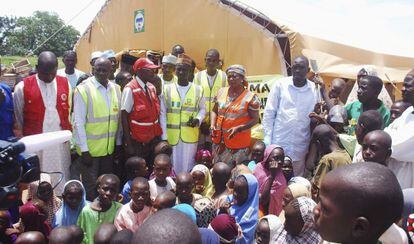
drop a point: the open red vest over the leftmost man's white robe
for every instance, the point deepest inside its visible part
(34, 108)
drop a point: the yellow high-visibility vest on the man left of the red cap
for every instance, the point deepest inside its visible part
(101, 123)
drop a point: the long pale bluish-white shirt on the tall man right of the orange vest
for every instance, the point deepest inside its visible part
(286, 116)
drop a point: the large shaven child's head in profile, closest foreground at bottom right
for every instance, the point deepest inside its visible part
(362, 200)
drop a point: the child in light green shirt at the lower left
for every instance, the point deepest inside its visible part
(103, 209)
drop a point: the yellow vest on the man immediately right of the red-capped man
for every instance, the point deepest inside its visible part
(178, 114)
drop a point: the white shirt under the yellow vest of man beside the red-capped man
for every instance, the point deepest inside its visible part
(182, 91)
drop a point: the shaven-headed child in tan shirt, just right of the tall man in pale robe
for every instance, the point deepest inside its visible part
(333, 156)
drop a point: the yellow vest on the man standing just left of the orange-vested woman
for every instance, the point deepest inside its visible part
(210, 92)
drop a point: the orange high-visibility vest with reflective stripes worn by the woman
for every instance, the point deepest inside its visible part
(231, 114)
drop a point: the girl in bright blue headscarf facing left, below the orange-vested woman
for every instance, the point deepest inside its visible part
(245, 206)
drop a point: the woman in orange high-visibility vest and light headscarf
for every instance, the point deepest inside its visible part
(235, 111)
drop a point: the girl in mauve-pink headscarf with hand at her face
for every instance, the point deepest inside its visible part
(271, 180)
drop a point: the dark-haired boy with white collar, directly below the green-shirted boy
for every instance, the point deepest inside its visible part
(368, 121)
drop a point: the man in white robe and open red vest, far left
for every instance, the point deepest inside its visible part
(54, 111)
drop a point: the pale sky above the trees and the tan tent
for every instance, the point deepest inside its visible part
(379, 25)
